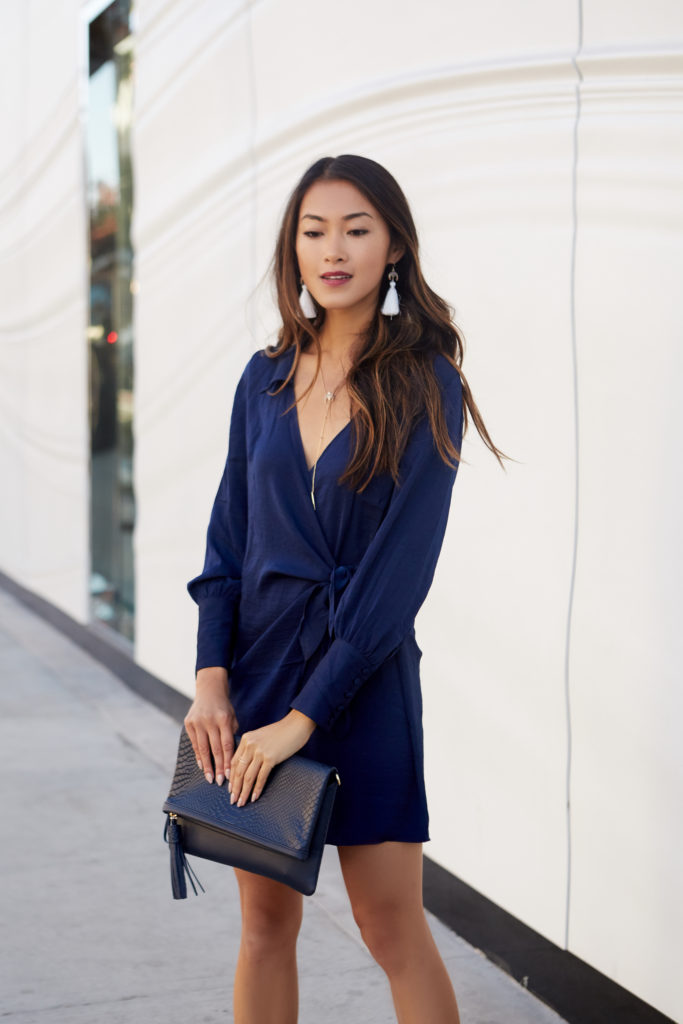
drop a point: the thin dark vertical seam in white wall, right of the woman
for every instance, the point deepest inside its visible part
(575, 364)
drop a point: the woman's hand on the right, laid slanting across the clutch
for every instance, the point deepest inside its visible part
(262, 750)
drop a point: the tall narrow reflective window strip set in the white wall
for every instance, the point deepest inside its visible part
(111, 326)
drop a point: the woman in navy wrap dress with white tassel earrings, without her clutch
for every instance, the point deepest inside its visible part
(322, 546)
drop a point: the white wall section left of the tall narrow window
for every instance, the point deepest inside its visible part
(44, 307)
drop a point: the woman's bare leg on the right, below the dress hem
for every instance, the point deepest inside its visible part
(385, 884)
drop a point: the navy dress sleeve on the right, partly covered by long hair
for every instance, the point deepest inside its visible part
(378, 608)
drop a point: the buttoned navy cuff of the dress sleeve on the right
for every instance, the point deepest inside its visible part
(333, 685)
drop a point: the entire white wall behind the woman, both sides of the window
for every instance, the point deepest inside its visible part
(540, 146)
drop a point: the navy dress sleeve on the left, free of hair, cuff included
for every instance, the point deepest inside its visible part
(217, 590)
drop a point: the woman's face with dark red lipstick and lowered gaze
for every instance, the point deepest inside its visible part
(344, 247)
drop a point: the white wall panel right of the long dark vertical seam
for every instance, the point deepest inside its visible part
(627, 648)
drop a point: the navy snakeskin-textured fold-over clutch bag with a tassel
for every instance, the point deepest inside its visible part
(281, 835)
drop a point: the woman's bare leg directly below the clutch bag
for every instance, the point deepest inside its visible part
(266, 983)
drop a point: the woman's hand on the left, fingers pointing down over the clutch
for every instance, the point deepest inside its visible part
(211, 724)
